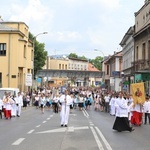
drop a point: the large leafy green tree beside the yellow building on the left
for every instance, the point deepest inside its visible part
(40, 54)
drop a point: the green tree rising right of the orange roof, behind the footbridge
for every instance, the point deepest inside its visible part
(97, 62)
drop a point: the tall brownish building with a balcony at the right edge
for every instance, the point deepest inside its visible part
(141, 63)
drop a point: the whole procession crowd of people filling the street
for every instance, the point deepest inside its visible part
(119, 104)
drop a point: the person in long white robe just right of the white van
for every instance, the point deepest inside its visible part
(19, 104)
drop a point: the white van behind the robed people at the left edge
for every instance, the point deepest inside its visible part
(13, 91)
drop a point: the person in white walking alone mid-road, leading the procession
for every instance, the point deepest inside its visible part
(65, 101)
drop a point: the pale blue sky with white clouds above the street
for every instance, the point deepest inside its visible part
(75, 26)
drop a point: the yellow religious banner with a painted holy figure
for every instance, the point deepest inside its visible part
(138, 93)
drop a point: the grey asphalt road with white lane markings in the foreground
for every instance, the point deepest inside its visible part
(87, 130)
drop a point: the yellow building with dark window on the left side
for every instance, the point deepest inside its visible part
(16, 55)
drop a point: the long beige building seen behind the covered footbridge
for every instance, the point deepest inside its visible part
(65, 63)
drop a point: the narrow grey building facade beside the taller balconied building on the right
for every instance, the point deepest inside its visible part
(127, 45)
